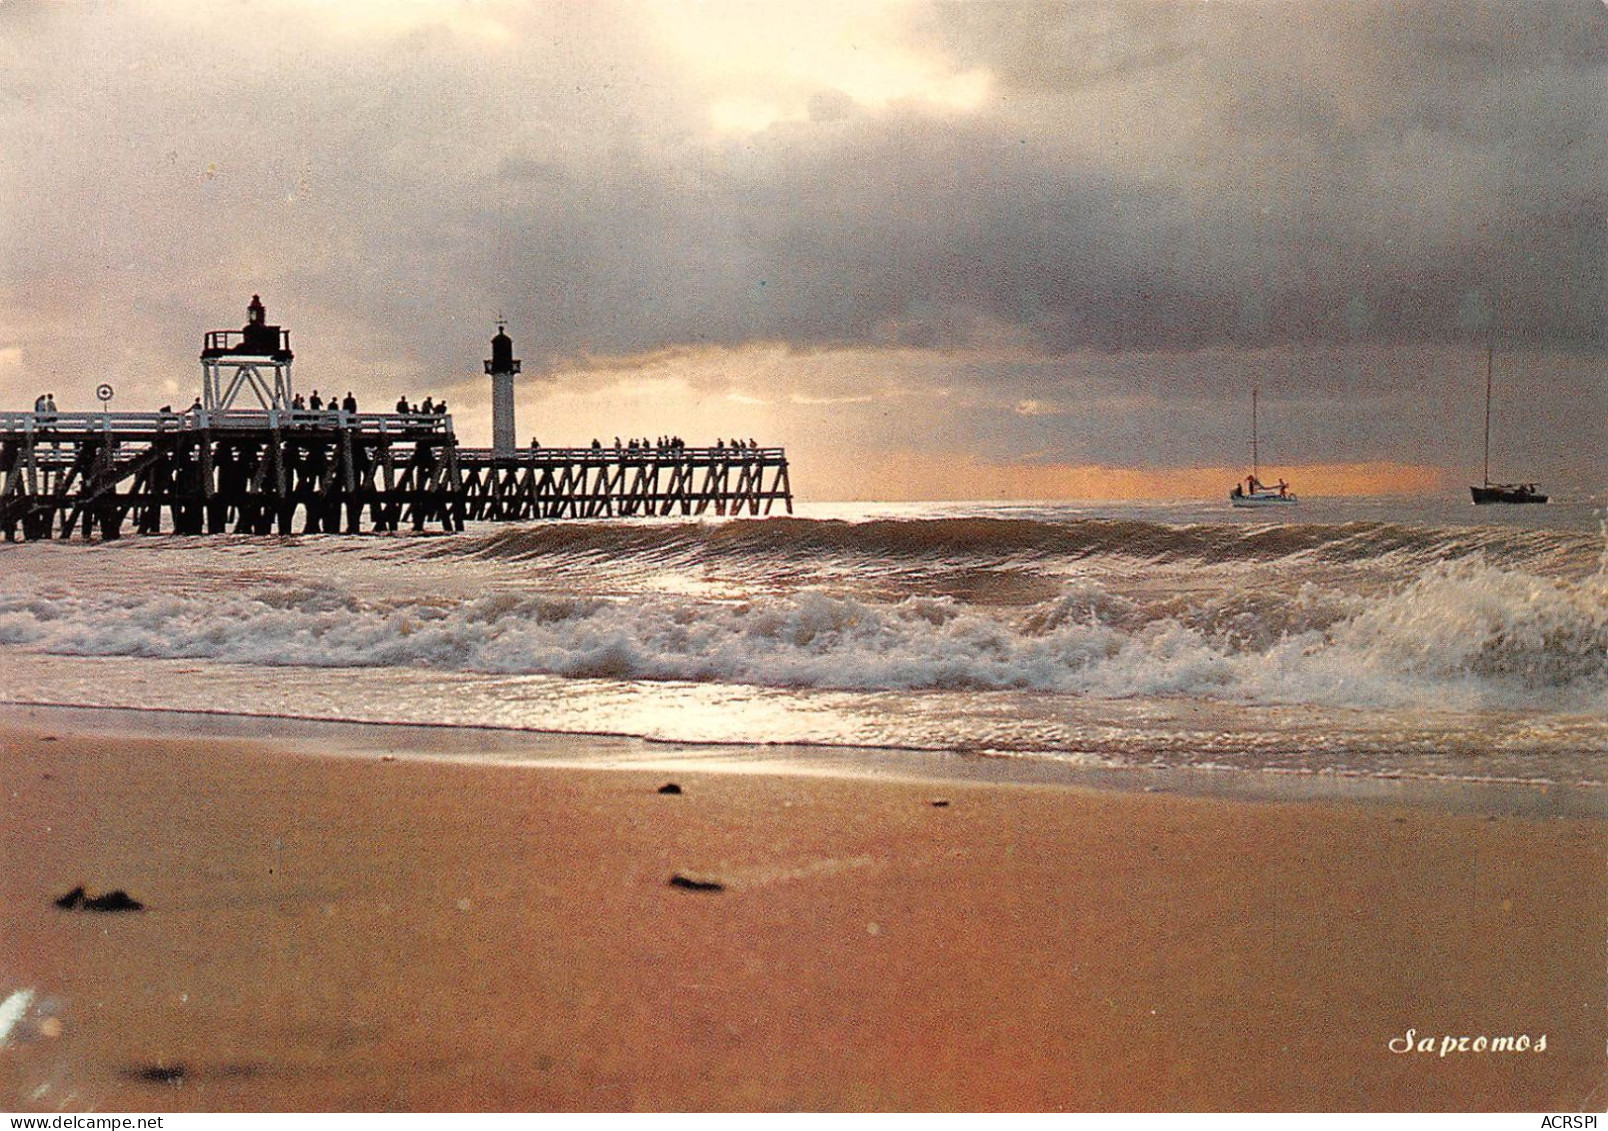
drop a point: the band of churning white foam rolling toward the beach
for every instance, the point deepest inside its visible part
(1461, 636)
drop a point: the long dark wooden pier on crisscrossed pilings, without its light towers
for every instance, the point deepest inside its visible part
(285, 472)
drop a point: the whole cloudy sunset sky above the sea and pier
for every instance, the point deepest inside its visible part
(938, 250)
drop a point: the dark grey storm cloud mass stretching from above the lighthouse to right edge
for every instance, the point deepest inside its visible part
(1265, 173)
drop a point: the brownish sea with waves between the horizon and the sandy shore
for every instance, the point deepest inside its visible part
(1364, 640)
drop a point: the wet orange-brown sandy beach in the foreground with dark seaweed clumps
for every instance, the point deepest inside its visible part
(390, 932)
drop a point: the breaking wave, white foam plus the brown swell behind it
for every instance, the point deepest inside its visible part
(1462, 620)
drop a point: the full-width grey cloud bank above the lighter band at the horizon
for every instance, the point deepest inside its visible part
(1141, 178)
